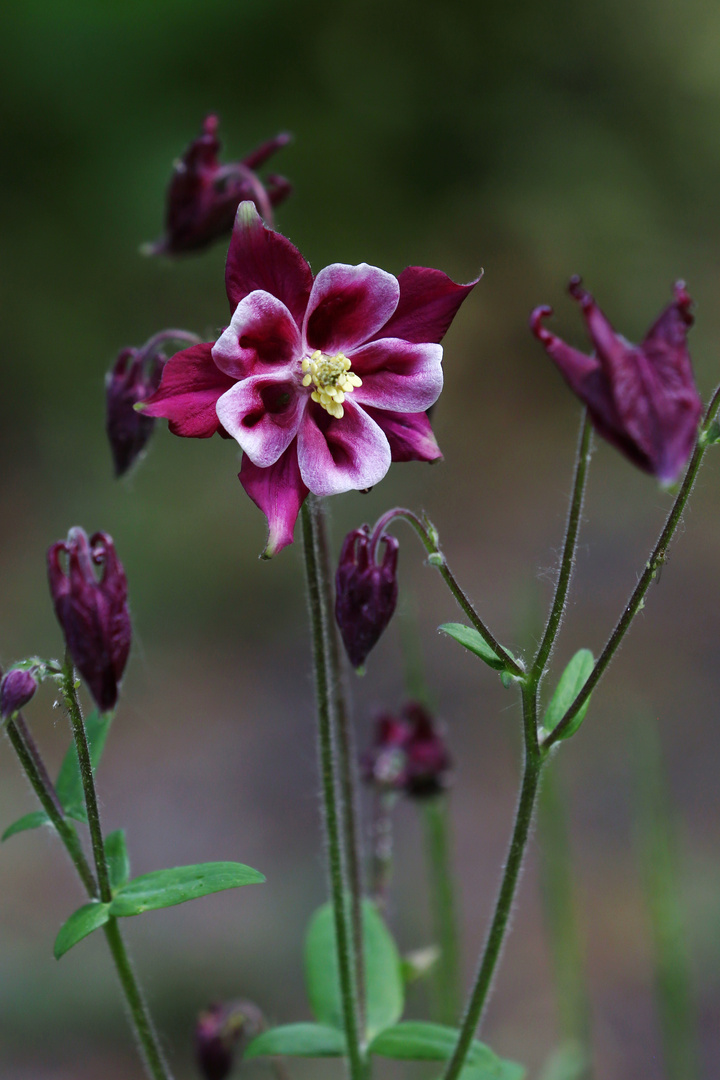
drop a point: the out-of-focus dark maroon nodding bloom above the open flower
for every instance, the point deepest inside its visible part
(203, 195)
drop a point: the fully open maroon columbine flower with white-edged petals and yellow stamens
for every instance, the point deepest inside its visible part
(323, 382)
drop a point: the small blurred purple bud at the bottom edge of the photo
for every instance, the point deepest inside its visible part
(222, 1034)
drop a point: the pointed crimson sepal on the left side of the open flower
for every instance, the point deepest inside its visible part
(189, 391)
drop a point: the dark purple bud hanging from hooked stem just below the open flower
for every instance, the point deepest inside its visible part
(366, 592)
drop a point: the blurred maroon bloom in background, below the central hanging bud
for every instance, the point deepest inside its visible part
(409, 754)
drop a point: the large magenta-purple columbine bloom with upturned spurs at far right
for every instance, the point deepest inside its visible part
(643, 399)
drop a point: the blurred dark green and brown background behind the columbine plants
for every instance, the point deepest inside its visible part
(535, 141)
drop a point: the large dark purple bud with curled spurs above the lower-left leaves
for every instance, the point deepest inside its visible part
(92, 613)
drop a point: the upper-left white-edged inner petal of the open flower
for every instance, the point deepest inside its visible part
(262, 336)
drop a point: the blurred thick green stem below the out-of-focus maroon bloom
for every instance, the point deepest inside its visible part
(445, 920)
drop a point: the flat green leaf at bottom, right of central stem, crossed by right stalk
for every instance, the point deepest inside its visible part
(417, 1042)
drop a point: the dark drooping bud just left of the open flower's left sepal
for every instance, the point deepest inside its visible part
(134, 377)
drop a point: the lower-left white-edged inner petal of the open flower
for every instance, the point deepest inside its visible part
(263, 415)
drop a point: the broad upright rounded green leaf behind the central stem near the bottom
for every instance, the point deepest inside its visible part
(384, 977)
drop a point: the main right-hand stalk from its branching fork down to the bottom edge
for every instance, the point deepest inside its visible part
(534, 765)
